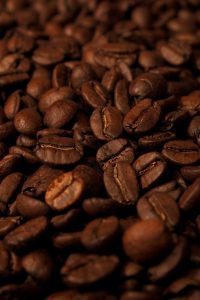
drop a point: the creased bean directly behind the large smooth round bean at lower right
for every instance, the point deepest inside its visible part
(161, 206)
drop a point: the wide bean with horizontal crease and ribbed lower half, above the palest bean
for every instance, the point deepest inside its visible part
(55, 150)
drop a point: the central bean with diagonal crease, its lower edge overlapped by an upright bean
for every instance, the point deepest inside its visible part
(115, 151)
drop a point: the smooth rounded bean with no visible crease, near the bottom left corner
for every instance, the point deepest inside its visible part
(39, 265)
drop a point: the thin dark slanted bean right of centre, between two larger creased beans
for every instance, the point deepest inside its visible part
(155, 140)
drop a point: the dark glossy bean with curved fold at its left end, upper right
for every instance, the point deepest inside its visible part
(148, 85)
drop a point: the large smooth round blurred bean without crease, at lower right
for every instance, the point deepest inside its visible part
(147, 241)
